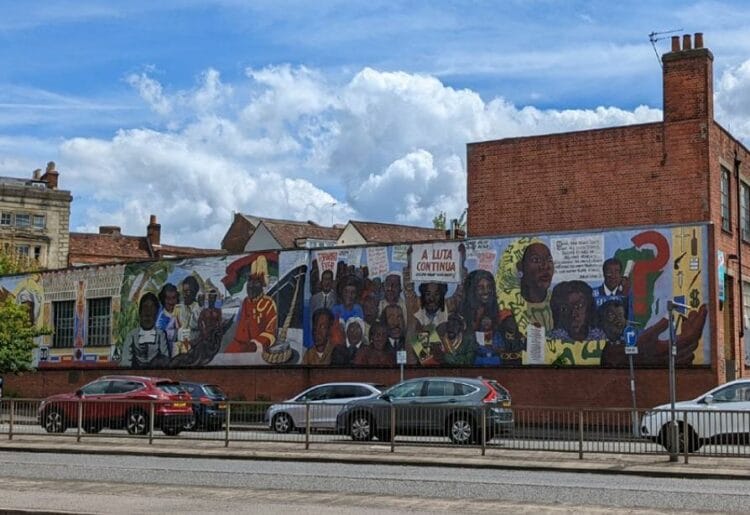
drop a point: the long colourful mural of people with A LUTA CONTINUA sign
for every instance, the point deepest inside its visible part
(563, 299)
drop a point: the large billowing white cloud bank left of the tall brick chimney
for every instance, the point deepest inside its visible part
(292, 143)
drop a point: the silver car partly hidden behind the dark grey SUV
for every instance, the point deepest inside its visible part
(325, 400)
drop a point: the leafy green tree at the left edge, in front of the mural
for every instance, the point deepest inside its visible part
(16, 337)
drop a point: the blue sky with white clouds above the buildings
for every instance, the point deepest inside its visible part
(328, 110)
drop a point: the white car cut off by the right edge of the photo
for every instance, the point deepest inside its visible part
(720, 415)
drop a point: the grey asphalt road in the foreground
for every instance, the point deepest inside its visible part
(139, 484)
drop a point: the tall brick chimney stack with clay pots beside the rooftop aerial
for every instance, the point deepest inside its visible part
(688, 80)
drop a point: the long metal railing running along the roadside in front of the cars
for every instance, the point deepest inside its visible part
(708, 432)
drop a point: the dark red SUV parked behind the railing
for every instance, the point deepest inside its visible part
(119, 402)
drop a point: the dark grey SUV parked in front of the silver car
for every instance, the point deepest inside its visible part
(449, 406)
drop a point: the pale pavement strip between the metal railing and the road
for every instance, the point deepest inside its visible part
(495, 457)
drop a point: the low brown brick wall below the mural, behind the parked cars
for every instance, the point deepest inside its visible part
(567, 387)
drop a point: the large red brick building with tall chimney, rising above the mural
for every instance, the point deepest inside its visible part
(684, 169)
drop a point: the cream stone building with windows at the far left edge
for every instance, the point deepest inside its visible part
(35, 217)
